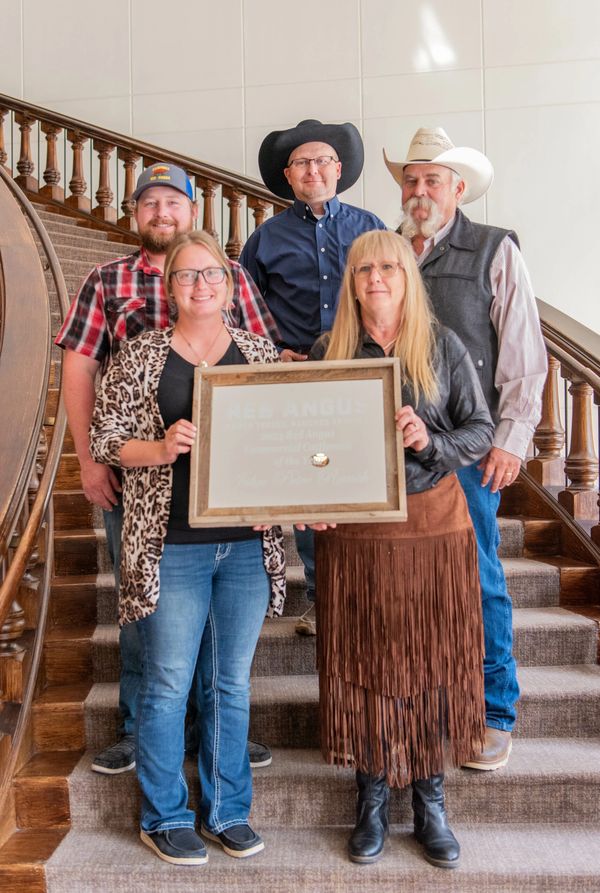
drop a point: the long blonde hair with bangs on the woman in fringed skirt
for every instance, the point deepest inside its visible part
(415, 342)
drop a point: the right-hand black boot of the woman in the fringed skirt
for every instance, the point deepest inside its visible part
(431, 823)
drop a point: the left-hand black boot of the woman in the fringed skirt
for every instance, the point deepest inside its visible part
(372, 824)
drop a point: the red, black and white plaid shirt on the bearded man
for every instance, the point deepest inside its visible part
(125, 297)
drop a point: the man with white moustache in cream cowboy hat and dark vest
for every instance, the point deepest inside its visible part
(479, 286)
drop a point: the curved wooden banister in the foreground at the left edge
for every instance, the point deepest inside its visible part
(27, 519)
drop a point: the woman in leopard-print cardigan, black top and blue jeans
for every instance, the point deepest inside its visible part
(199, 596)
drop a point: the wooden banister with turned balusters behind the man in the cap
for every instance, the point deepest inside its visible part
(244, 202)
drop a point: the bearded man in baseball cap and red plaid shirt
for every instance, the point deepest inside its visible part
(119, 300)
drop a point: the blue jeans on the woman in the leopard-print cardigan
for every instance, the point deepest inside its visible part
(213, 600)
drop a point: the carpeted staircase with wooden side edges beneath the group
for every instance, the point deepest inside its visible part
(532, 826)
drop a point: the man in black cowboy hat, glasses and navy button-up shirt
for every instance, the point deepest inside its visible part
(297, 258)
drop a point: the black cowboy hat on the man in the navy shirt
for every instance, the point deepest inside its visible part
(277, 147)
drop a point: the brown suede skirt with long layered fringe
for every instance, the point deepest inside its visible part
(400, 640)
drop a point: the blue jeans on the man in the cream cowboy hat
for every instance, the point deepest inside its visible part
(499, 666)
